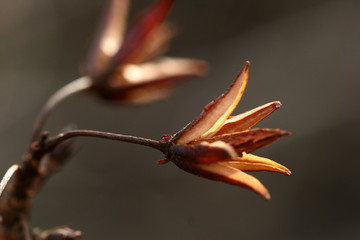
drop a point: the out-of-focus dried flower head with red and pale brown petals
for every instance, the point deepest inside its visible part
(119, 64)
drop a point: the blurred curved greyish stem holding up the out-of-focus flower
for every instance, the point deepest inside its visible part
(76, 86)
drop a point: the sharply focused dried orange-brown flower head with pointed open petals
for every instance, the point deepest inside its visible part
(217, 146)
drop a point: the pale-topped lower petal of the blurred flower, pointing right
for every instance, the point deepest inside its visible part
(147, 82)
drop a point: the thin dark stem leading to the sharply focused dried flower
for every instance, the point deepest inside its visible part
(53, 142)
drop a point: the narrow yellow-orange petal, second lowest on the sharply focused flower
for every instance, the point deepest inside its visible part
(249, 162)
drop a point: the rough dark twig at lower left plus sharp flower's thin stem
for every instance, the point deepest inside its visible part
(16, 207)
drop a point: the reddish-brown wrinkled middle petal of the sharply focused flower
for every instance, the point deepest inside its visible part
(250, 140)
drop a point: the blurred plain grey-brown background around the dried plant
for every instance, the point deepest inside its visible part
(304, 53)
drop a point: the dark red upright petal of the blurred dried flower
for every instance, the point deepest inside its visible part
(137, 36)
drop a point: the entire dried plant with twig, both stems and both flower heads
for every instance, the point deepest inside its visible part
(121, 68)
